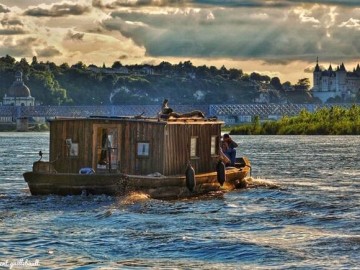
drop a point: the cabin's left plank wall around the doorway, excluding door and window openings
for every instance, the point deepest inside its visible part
(131, 132)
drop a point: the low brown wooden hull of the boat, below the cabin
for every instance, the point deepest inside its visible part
(160, 187)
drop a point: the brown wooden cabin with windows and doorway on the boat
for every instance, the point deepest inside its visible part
(134, 146)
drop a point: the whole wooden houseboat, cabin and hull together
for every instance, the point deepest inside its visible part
(165, 158)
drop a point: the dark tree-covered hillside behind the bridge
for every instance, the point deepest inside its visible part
(182, 83)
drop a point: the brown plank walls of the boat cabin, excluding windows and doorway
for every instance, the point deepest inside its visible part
(169, 145)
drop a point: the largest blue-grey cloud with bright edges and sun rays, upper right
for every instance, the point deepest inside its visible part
(274, 35)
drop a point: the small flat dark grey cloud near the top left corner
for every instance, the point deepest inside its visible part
(57, 10)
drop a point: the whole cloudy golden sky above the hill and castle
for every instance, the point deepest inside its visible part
(281, 38)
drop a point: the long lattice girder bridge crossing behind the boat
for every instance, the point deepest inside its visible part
(262, 110)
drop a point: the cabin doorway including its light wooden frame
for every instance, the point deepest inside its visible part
(106, 149)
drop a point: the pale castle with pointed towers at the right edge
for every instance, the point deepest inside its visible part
(337, 84)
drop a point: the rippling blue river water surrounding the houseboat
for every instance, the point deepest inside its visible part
(310, 221)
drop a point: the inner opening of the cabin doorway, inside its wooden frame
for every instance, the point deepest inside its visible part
(107, 143)
